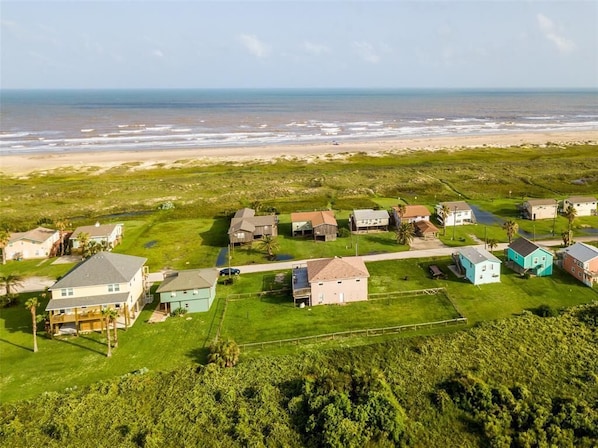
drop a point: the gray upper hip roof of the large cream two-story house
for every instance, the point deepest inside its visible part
(102, 268)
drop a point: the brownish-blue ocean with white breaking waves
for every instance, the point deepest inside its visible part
(57, 121)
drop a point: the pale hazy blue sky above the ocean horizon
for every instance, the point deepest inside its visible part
(298, 44)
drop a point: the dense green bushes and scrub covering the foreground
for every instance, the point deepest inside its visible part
(521, 382)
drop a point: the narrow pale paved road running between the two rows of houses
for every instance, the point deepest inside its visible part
(40, 283)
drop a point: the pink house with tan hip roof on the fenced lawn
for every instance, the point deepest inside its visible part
(330, 281)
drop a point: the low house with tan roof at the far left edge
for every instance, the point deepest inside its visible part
(36, 243)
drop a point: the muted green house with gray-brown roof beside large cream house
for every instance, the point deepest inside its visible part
(192, 290)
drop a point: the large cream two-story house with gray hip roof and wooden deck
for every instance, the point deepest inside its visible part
(104, 280)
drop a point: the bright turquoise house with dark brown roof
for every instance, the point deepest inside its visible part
(525, 256)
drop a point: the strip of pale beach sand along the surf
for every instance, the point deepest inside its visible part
(13, 164)
